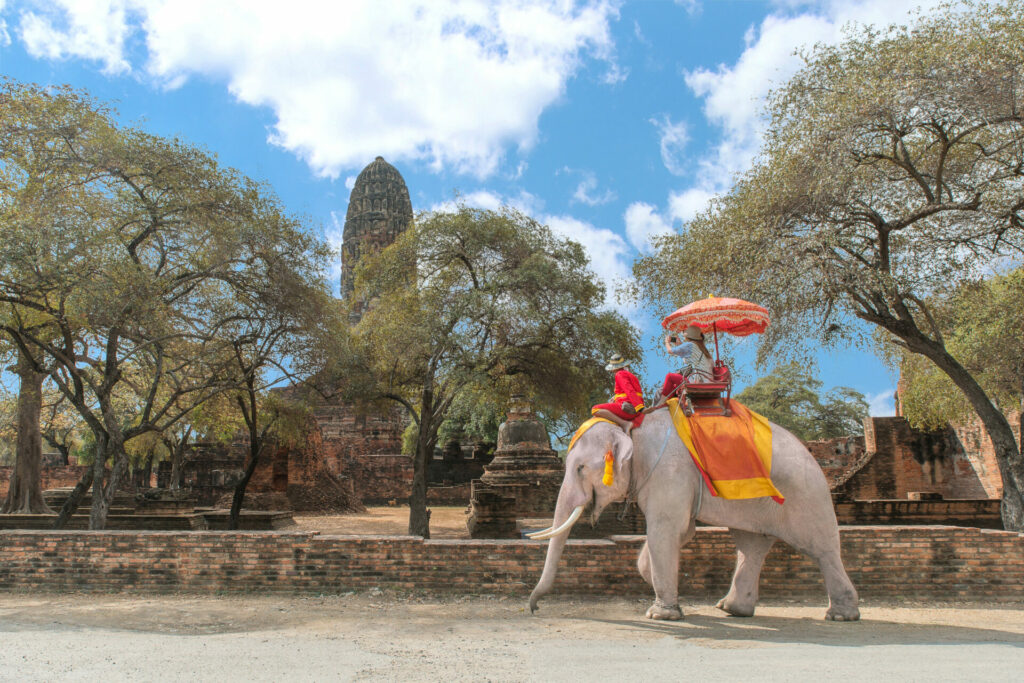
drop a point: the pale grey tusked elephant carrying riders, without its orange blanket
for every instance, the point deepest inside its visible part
(673, 496)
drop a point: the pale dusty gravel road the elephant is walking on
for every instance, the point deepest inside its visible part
(389, 637)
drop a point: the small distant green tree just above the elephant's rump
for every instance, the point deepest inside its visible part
(791, 397)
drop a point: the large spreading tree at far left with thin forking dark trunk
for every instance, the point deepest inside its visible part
(133, 249)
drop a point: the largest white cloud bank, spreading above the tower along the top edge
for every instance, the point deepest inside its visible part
(453, 83)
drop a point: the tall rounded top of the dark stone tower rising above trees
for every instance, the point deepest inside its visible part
(379, 210)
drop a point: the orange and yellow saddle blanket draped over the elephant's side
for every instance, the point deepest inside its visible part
(734, 453)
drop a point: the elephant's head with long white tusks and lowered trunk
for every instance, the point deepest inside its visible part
(605, 450)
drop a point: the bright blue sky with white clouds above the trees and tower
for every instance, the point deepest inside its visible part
(611, 122)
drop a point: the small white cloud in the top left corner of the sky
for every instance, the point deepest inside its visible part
(88, 29)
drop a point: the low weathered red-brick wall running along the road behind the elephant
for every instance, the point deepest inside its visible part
(921, 563)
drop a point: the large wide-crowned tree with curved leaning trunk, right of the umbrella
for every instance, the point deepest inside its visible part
(891, 175)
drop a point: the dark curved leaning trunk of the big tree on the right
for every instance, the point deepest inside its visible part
(1005, 445)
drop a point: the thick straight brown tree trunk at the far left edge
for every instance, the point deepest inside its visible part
(26, 493)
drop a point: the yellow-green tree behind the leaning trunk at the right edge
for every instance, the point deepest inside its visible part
(983, 324)
